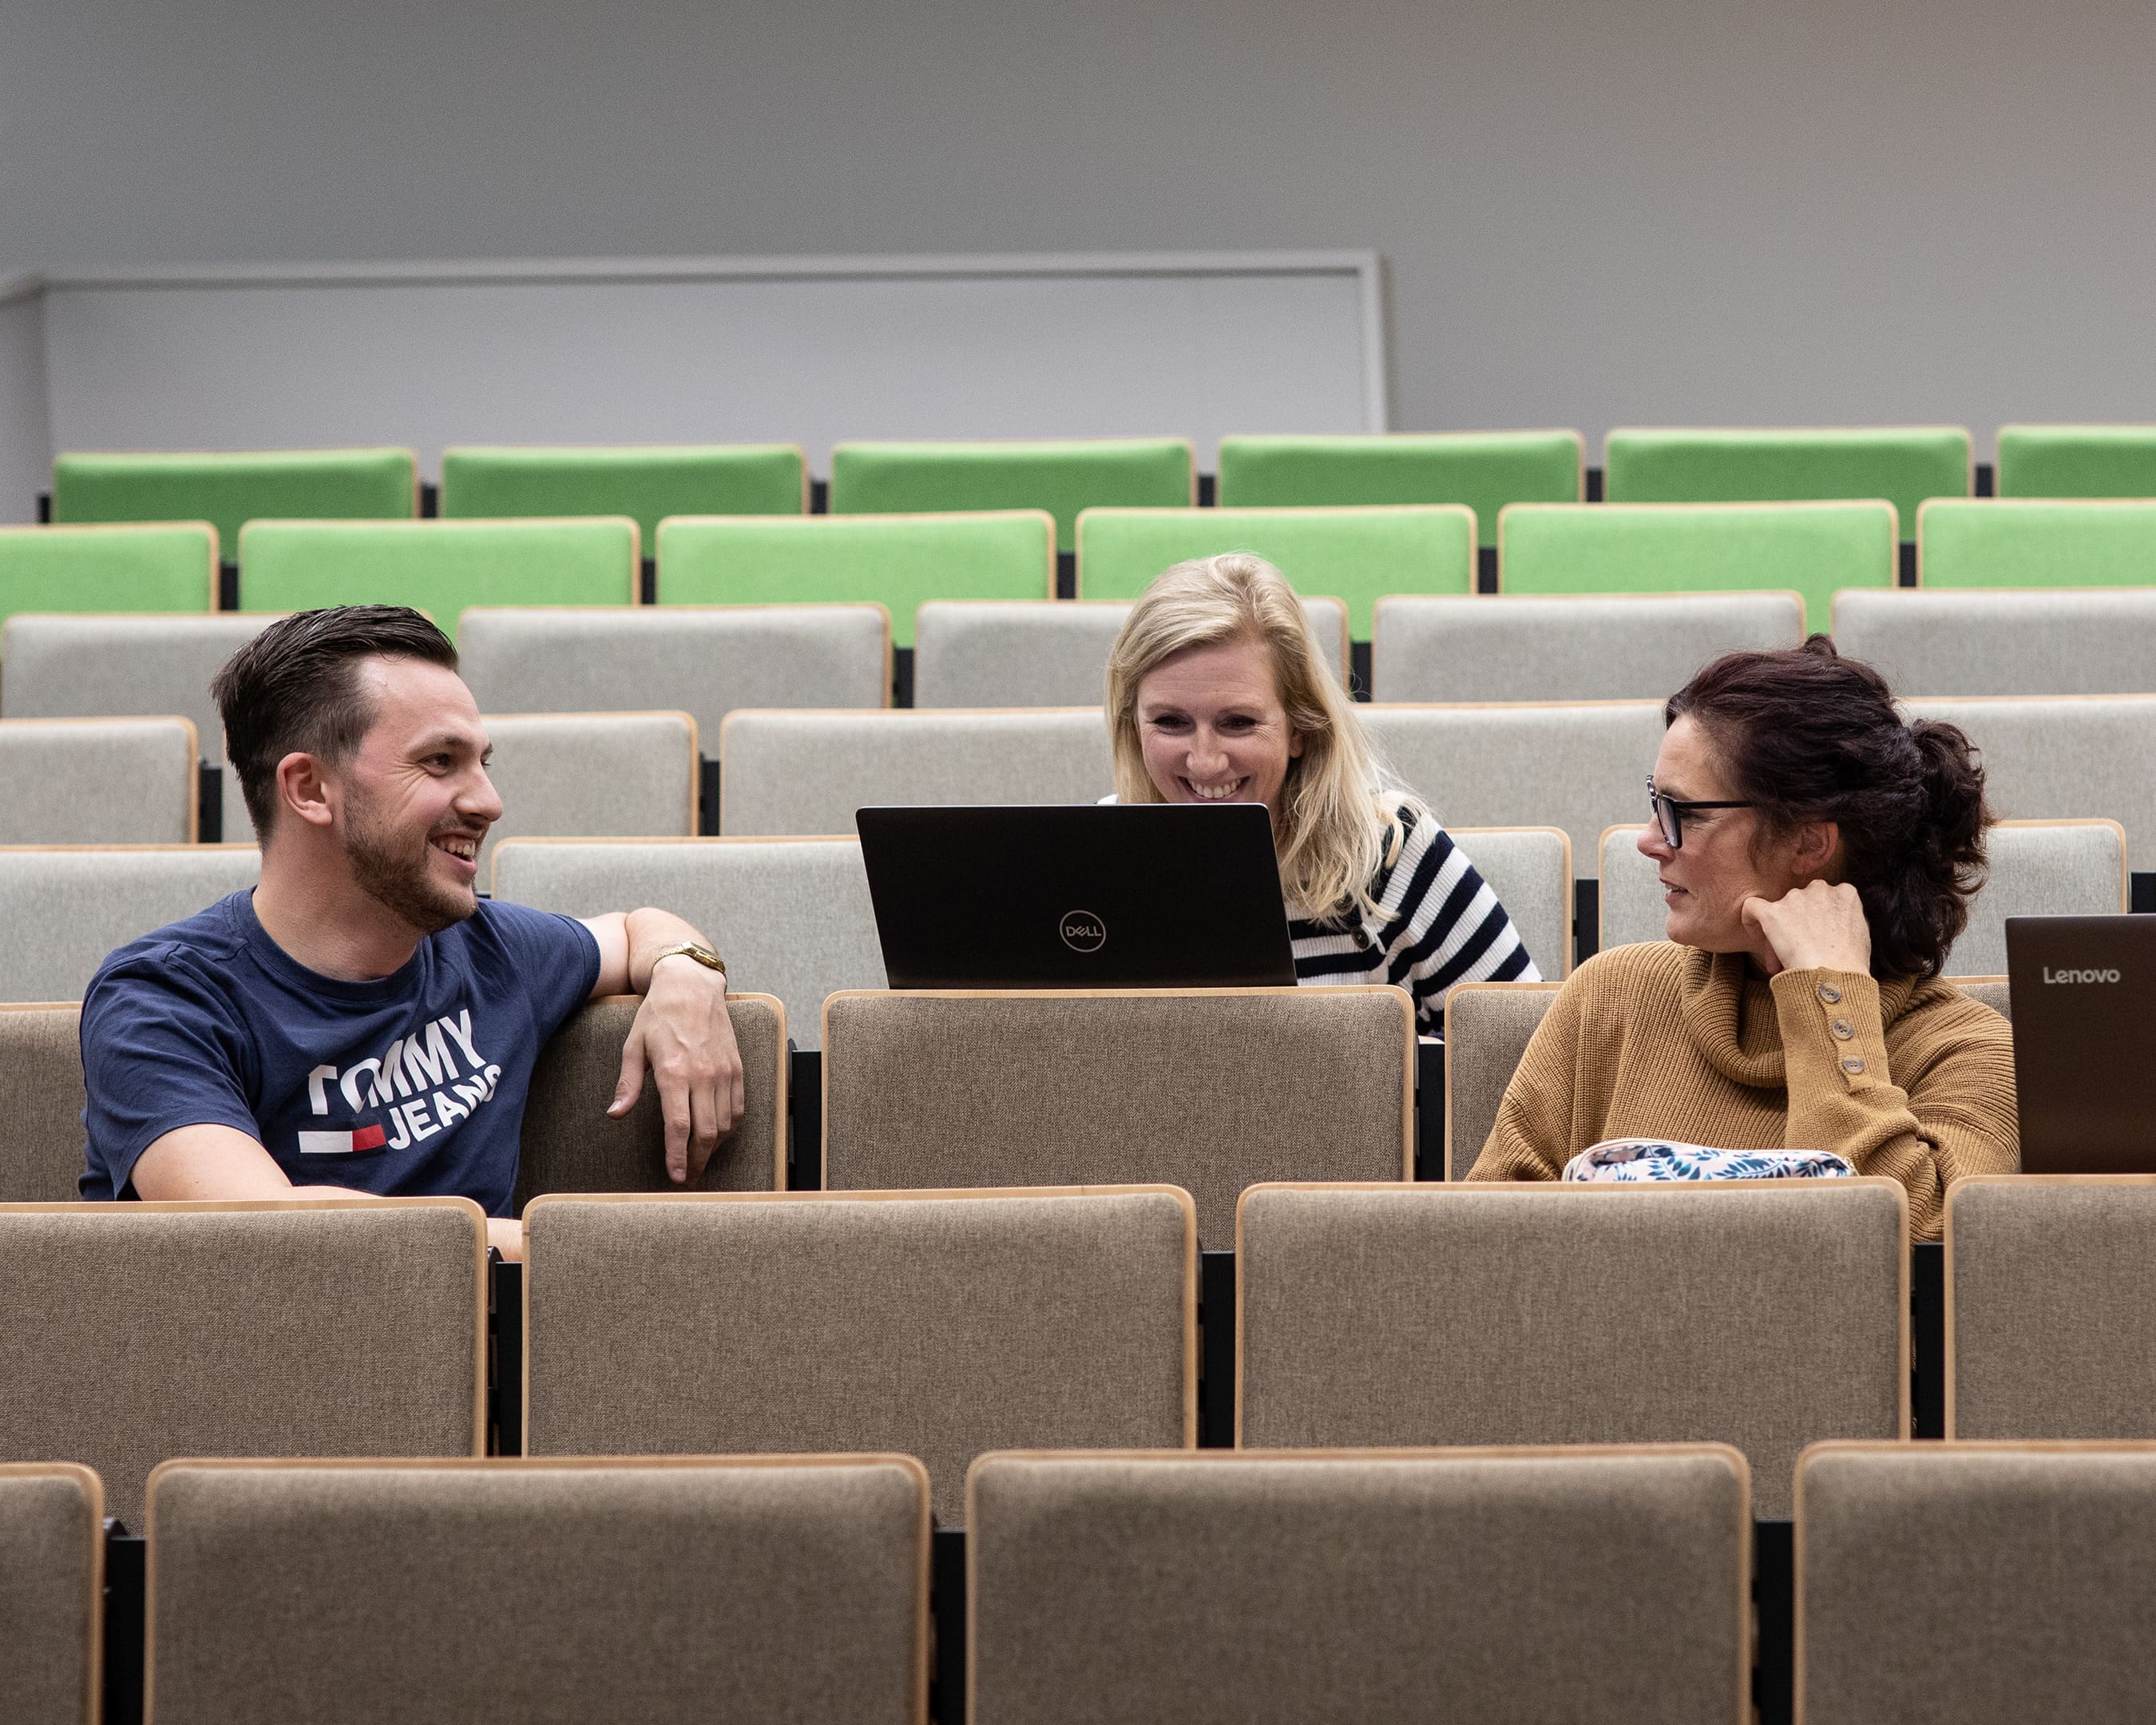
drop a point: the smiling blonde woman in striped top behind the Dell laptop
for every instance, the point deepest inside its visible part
(1217, 693)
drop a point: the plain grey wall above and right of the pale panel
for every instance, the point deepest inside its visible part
(1594, 215)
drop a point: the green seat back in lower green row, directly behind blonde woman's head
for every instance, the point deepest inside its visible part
(1355, 555)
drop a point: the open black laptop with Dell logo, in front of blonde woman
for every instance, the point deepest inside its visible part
(1077, 896)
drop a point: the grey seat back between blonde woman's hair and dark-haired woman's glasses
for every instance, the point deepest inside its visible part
(1575, 767)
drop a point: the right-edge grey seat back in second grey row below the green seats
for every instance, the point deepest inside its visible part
(2067, 760)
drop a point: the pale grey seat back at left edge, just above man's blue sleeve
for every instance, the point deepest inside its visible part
(70, 909)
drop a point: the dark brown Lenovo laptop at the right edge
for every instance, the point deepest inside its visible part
(2084, 993)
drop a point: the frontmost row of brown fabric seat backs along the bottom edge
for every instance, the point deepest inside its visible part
(1982, 1584)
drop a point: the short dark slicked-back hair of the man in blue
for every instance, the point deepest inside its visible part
(296, 689)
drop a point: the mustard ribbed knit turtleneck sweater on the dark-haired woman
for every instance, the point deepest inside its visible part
(1659, 1040)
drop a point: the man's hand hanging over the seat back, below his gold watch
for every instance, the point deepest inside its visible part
(682, 1032)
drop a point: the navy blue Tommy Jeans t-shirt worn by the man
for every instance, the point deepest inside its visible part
(411, 1086)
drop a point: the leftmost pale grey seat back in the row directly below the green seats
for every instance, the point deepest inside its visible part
(139, 665)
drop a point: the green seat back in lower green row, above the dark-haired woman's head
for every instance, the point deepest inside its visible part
(1810, 549)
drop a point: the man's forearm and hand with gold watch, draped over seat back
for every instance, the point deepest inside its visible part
(682, 1034)
